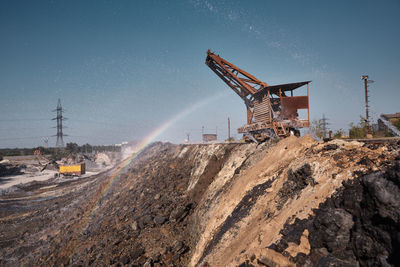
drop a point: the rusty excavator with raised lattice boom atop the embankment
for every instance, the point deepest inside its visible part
(270, 111)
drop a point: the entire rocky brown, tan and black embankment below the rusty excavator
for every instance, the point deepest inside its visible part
(292, 202)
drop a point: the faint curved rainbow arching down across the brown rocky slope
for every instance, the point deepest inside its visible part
(83, 224)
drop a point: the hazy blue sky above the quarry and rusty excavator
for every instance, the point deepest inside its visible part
(123, 68)
